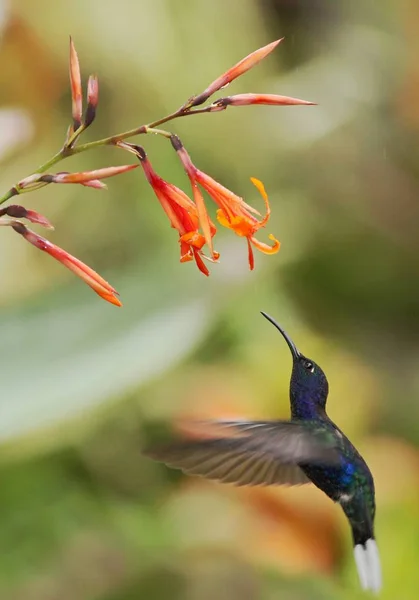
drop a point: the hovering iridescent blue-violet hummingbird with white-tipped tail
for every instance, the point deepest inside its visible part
(308, 448)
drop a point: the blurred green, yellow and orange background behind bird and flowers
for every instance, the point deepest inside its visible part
(82, 514)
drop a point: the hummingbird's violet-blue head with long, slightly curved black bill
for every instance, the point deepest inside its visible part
(309, 386)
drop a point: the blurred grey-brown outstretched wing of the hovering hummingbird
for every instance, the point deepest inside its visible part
(250, 452)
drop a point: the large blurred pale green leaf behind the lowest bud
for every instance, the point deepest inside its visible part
(61, 357)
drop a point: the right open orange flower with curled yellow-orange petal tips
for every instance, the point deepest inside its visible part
(233, 212)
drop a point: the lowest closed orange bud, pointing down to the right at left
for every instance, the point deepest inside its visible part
(93, 279)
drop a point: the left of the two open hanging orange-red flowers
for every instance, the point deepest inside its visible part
(182, 212)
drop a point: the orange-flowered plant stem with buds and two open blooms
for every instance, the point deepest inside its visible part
(187, 215)
